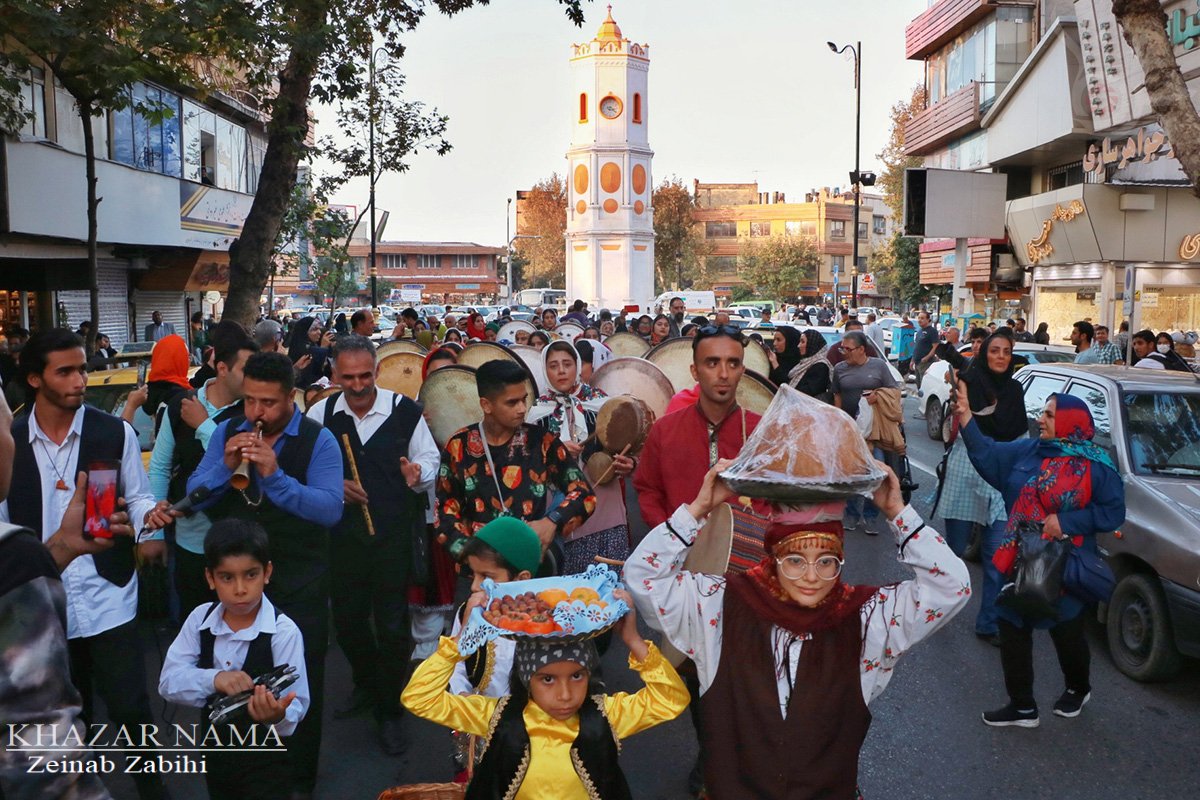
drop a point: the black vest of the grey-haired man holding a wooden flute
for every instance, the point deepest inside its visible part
(394, 507)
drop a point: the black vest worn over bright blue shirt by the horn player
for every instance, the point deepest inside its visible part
(299, 549)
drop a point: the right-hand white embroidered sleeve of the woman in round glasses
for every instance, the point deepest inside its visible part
(903, 615)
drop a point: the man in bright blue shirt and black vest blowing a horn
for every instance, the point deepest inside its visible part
(296, 494)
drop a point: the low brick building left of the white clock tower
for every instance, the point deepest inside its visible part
(445, 273)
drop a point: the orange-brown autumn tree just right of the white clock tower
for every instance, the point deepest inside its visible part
(680, 246)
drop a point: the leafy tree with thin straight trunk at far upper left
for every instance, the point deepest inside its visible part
(98, 52)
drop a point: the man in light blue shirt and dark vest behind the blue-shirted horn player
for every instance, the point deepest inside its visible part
(193, 419)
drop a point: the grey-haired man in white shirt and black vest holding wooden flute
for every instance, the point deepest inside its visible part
(397, 459)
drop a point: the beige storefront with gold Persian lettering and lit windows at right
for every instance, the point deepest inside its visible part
(1081, 240)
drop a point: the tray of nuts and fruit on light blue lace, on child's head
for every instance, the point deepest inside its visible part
(566, 607)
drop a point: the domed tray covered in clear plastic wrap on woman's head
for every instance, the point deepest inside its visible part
(803, 452)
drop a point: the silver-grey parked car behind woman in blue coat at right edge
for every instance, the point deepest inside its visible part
(1151, 428)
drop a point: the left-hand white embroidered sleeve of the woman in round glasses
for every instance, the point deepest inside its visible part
(686, 606)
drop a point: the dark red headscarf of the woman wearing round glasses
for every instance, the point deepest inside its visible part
(761, 591)
